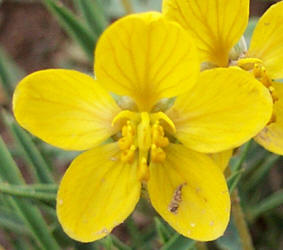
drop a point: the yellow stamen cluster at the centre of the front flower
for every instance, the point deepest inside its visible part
(143, 138)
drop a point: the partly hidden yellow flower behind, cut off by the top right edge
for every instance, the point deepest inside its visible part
(217, 25)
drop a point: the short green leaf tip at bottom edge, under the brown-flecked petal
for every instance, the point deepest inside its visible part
(179, 242)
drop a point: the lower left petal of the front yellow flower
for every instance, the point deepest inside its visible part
(97, 193)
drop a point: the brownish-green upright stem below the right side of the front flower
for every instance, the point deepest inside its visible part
(240, 222)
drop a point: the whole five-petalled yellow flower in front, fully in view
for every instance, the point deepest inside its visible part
(147, 59)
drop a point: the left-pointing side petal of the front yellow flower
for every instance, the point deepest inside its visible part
(65, 108)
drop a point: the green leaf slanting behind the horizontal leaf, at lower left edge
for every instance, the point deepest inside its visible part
(30, 215)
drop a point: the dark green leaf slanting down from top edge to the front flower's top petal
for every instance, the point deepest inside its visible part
(76, 29)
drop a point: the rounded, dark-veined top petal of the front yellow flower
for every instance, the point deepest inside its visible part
(146, 57)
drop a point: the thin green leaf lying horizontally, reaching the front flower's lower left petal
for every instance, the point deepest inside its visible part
(17, 190)
